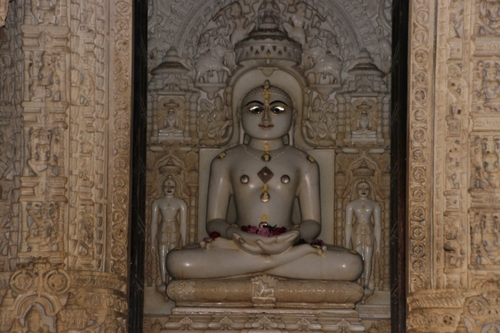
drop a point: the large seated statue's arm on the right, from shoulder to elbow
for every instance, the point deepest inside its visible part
(309, 200)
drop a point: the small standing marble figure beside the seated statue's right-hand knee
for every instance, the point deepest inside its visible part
(363, 229)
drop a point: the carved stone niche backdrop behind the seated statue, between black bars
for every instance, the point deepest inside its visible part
(203, 56)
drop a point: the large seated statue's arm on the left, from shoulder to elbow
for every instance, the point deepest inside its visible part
(219, 192)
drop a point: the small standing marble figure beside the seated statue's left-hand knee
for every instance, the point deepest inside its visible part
(168, 226)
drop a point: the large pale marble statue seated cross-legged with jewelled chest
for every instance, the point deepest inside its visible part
(264, 176)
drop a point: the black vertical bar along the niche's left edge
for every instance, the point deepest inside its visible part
(137, 228)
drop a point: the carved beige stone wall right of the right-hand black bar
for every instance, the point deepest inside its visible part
(453, 166)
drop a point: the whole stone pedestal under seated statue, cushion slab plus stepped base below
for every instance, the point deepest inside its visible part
(264, 303)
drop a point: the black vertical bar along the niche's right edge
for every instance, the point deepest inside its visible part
(399, 150)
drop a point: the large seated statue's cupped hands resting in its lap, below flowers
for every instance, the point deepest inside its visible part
(257, 244)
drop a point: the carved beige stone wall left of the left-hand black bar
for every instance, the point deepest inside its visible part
(64, 165)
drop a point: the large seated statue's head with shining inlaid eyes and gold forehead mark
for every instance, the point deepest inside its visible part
(266, 112)
